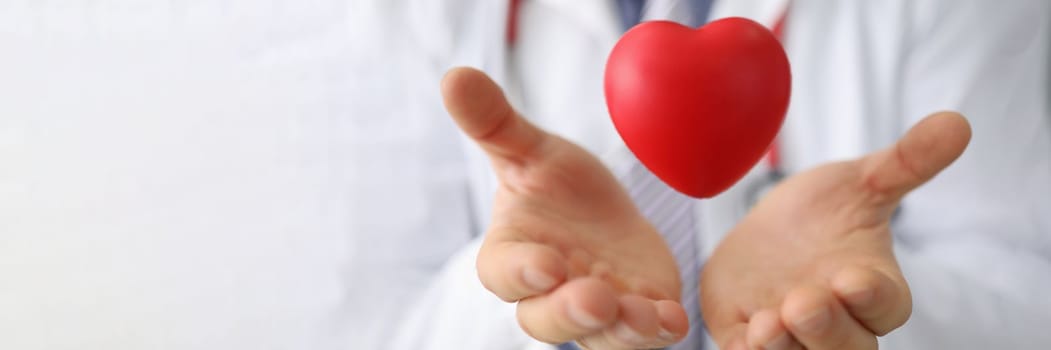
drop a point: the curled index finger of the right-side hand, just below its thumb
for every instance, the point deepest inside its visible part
(875, 300)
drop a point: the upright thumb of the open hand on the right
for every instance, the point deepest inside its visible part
(924, 152)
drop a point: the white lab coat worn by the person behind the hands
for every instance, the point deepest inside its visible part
(975, 243)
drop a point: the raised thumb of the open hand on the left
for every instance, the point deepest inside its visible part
(481, 110)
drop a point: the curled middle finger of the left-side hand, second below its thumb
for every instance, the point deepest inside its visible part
(579, 308)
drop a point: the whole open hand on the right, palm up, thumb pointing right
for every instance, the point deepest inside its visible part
(813, 266)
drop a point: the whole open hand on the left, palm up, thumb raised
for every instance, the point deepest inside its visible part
(567, 243)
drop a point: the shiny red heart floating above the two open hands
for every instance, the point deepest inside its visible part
(698, 108)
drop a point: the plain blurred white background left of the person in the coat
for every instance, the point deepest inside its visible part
(219, 175)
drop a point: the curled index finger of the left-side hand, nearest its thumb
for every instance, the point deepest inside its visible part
(514, 271)
